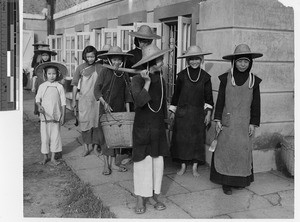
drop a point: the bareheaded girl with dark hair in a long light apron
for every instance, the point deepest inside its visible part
(88, 107)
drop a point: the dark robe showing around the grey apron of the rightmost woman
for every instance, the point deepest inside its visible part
(240, 79)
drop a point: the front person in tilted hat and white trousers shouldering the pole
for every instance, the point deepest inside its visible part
(149, 133)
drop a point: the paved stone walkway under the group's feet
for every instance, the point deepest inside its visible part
(271, 195)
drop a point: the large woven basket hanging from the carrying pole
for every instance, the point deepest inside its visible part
(117, 128)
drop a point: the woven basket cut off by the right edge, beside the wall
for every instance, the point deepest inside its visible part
(288, 154)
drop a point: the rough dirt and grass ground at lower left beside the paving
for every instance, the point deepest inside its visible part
(53, 191)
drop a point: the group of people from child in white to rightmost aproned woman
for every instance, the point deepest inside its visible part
(103, 90)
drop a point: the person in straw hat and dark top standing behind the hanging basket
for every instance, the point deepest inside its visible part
(112, 90)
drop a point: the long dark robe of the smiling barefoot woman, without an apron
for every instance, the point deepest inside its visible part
(189, 128)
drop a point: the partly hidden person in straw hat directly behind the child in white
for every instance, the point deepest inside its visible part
(43, 55)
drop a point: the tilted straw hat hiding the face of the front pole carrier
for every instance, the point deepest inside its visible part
(149, 53)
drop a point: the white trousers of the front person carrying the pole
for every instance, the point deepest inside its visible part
(147, 176)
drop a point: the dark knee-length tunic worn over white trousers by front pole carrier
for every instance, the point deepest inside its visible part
(149, 129)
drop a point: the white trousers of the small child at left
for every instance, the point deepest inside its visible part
(50, 138)
